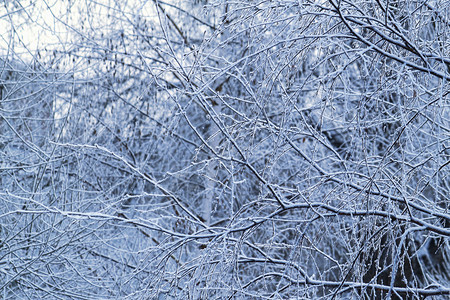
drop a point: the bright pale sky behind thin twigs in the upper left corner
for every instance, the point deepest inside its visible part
(26, 26)
